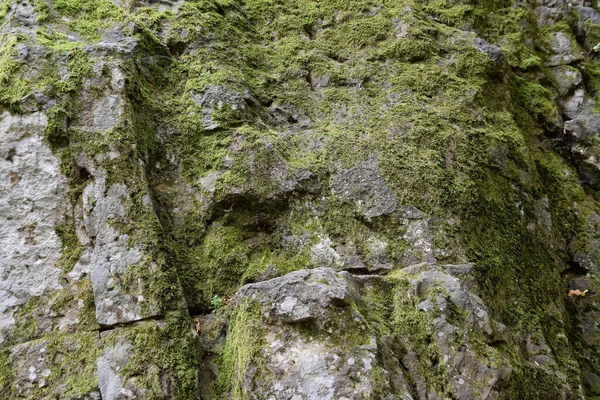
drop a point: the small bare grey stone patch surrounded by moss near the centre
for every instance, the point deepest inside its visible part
(364, 186)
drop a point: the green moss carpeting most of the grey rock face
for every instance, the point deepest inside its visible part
(405, 83)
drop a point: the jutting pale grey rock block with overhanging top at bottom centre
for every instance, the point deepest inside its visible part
(313, 367)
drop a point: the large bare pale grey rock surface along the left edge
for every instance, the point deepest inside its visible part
(33, 201)
